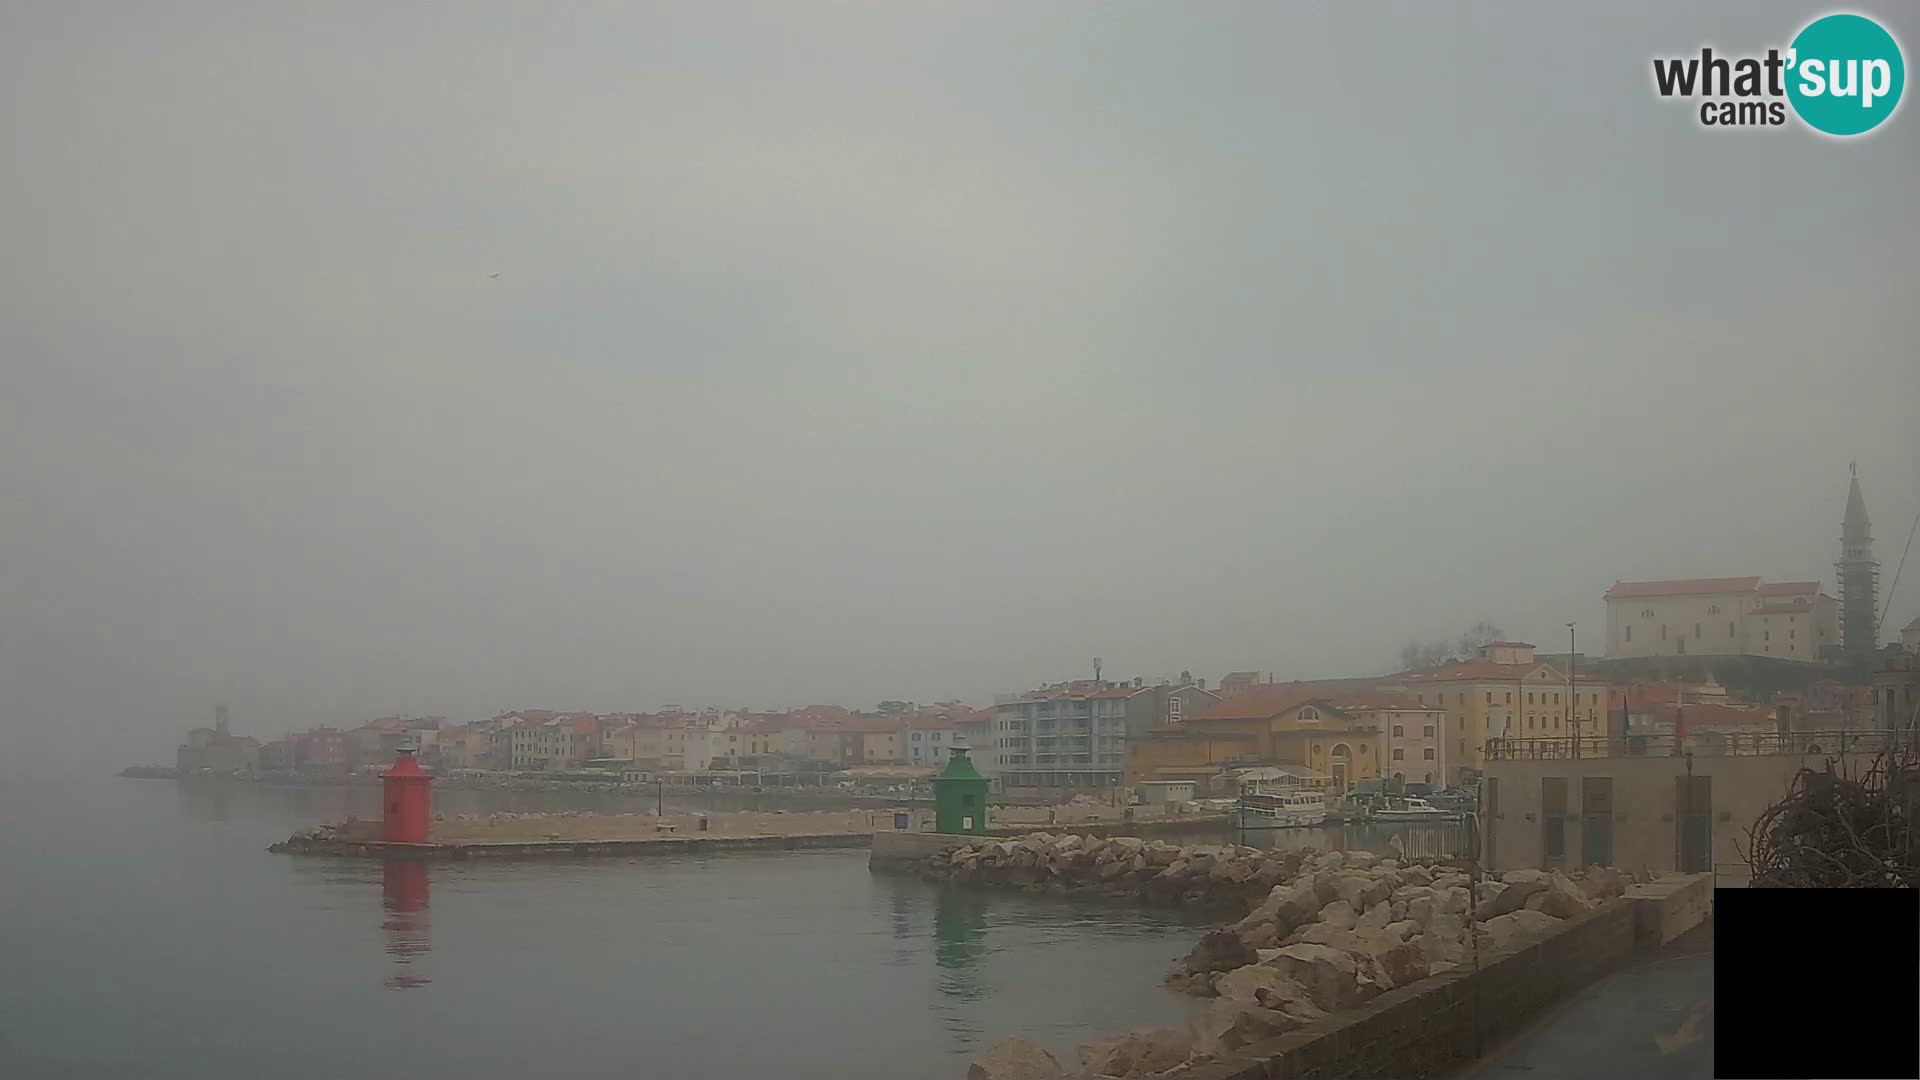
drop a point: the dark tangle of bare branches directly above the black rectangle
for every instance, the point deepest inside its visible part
(1842, 827)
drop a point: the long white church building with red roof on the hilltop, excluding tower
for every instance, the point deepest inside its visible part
(1721, 618)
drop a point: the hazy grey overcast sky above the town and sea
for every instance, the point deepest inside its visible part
(395, 358)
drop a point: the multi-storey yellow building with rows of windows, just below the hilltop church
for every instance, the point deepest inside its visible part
(1506, 693)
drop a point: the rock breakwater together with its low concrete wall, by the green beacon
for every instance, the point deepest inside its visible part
(1337, 964)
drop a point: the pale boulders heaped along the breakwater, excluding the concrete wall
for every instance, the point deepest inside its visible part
(1320, 931)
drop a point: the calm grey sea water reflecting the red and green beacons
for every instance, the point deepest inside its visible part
(145, 931)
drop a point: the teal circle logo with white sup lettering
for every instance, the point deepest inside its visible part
(1846, 76)
